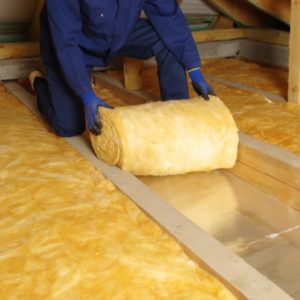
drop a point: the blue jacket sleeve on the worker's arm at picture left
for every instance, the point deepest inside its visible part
(65, 25)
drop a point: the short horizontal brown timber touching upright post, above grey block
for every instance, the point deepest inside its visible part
(277, 37)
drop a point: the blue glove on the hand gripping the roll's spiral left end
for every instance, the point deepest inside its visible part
(91, 103)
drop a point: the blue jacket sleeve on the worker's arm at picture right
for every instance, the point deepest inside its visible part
(169, 23)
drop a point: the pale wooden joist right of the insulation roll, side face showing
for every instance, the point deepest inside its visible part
(270, 168)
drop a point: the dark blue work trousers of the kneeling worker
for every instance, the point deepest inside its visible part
(64, 110)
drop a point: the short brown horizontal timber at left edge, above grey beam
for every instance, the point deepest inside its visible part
(19, 50)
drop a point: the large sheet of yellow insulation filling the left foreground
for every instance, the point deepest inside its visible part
(67, 233)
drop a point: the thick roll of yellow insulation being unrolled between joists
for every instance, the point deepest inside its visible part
(168, 138)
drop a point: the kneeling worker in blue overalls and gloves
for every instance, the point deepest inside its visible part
(77, 35)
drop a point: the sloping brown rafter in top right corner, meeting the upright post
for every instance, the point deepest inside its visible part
(280, 9)
